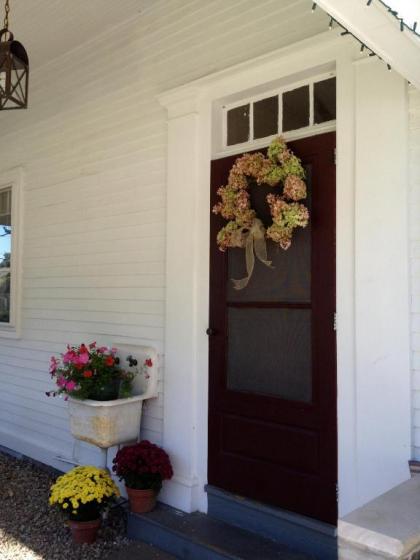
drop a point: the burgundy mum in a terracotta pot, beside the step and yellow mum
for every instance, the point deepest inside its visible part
(143, 467)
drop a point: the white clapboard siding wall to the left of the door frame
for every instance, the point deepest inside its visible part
(93, 147)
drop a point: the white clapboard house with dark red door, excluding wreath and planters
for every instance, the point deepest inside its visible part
(290, 407)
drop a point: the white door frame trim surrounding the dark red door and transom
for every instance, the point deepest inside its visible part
(190, 126)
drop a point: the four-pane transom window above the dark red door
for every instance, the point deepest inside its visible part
(303, 108)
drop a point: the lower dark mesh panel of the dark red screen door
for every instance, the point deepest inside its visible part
(270, 352)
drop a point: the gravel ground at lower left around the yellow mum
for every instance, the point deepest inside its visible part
(31, 530)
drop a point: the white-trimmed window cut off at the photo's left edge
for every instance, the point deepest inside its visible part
(10, 224)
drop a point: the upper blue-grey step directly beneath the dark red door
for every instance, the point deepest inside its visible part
(296, 531)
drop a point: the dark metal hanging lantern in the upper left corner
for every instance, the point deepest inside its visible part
(14, 69)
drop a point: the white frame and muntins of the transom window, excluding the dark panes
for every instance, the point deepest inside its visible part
(310, 130)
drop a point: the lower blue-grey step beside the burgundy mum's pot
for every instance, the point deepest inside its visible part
(196, 536)
